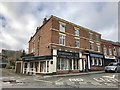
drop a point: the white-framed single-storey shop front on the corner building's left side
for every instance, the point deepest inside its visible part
(36, 65)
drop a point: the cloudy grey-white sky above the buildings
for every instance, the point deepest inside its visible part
(19, 20)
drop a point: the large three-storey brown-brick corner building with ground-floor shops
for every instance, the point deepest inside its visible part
(59, 46)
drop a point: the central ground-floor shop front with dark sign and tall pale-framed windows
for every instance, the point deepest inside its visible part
(68, 62)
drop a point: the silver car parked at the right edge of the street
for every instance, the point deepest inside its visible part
(113, 67)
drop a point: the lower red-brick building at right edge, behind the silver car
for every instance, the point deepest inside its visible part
(111, 51)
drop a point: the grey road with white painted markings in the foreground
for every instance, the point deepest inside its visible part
(99, 80)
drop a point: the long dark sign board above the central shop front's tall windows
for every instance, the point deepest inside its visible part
(67, 54)
